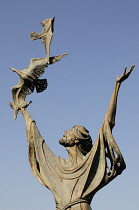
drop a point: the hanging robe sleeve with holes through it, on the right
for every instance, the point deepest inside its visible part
(106, 161)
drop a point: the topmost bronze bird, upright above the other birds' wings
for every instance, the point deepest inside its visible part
(46, 35)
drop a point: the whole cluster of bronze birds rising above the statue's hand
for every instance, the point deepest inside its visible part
(29, 77)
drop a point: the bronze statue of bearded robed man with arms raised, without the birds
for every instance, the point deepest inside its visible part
(89, 166)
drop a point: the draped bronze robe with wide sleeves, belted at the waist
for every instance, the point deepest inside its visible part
(74, 186)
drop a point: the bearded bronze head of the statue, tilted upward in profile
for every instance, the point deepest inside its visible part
(78, 135)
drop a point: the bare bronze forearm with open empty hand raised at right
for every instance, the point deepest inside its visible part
(111, 113)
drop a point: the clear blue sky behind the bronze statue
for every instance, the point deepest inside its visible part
(101, 38)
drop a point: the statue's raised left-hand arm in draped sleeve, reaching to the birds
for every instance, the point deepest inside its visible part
(40, 156)
